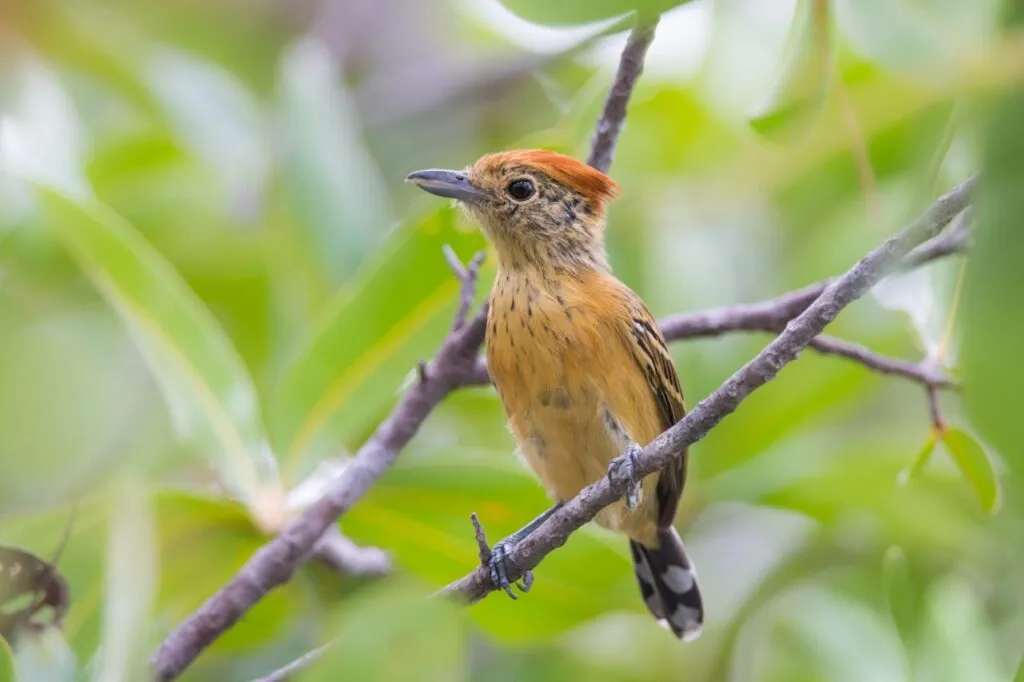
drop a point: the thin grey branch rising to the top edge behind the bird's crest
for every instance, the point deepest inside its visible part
(614, 117)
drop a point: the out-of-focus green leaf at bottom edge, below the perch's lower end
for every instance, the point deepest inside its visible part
(393, 633)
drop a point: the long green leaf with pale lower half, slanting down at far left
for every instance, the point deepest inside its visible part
(209, 392)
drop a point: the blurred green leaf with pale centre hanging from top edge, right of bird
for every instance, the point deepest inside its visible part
(805, 72)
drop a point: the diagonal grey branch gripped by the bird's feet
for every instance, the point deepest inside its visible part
(800, 333)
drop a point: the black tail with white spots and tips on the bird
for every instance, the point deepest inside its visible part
(669, 584)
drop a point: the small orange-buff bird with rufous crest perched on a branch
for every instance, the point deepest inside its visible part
(580, 365)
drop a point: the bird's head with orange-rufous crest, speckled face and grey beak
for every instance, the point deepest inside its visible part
(538, 208)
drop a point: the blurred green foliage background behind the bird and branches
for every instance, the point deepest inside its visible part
(215, 284)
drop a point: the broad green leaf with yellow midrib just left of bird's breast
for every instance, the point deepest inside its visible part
(369, 342)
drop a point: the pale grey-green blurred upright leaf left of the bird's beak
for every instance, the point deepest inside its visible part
(335, 183)
